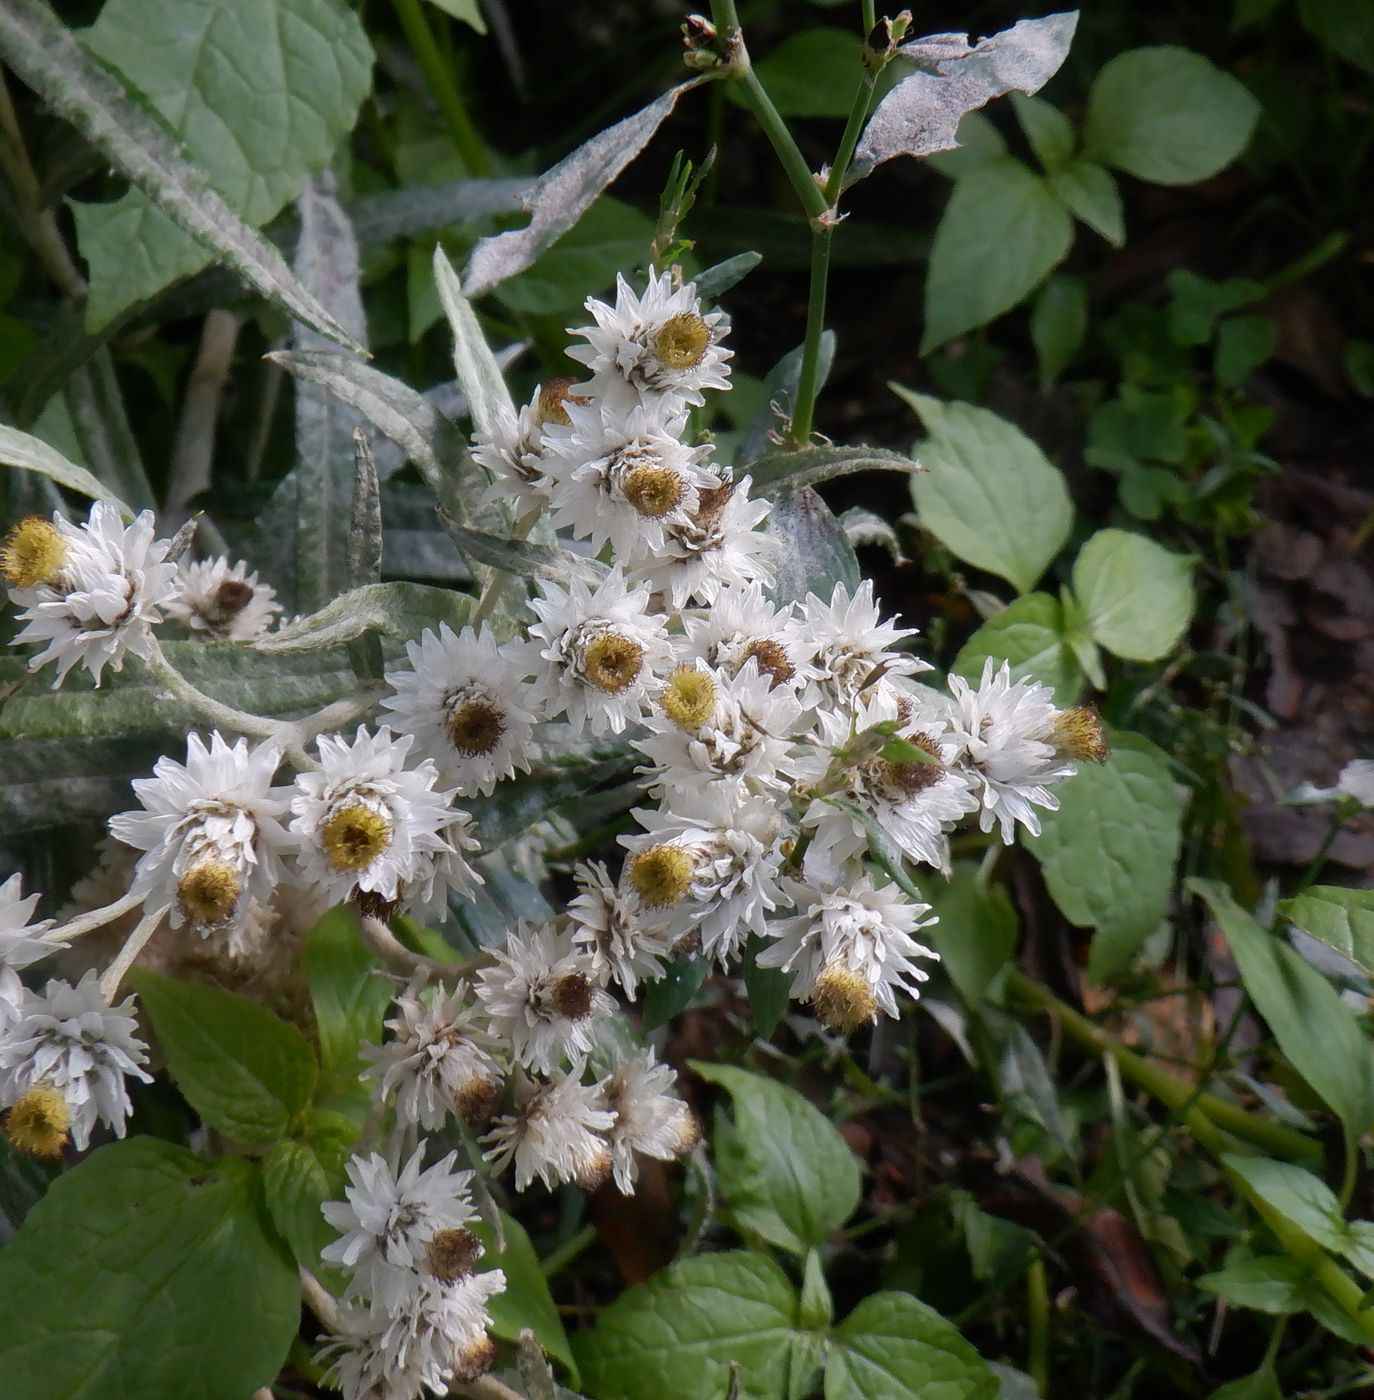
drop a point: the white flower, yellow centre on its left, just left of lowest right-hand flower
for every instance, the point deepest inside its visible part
(709, 867)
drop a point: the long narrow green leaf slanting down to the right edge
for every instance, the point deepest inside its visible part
(1316, 1031)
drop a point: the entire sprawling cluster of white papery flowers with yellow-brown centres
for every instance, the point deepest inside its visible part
(791, 761)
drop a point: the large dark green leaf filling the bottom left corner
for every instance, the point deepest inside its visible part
(146, 1272)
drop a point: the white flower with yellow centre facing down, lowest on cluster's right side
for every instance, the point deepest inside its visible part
(851, 948)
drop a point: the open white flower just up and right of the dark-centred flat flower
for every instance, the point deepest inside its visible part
(596, 653)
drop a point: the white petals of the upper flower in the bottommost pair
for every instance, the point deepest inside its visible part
(389, 1223)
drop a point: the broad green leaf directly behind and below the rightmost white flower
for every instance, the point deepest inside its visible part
(1109, 853)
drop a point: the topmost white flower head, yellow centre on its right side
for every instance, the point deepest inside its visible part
(653, 346)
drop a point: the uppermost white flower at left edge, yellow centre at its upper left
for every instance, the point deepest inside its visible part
(90, 593)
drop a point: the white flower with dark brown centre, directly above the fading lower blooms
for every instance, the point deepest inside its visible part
(541, 997)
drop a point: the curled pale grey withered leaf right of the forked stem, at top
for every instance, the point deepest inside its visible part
(922, 114)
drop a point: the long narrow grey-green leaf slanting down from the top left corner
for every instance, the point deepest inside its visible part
(43, 52)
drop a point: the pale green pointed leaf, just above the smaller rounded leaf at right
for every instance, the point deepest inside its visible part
(990, 495)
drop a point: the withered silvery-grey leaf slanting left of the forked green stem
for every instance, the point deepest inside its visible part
(564, 194)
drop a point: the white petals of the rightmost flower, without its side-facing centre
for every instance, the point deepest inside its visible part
(1008, 734)
